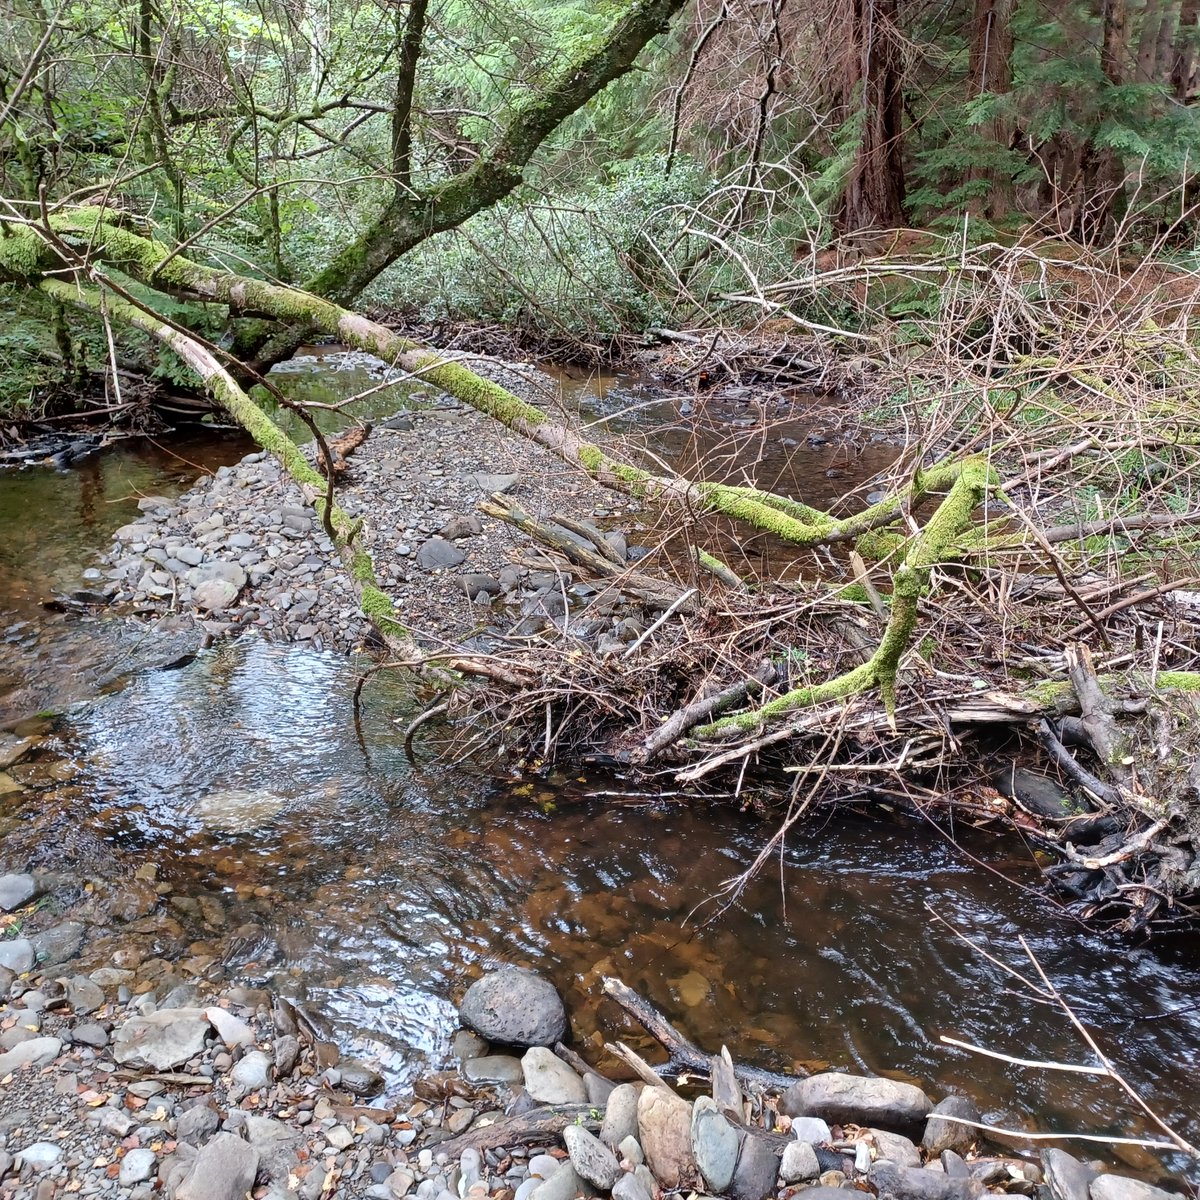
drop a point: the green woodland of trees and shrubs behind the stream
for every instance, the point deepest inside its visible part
(427, 159)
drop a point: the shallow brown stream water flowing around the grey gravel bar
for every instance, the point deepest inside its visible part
(305, 851)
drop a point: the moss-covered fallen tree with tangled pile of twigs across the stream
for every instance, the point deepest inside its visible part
(803, 679)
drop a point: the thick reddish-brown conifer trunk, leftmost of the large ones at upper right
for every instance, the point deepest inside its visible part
(874, 196)
